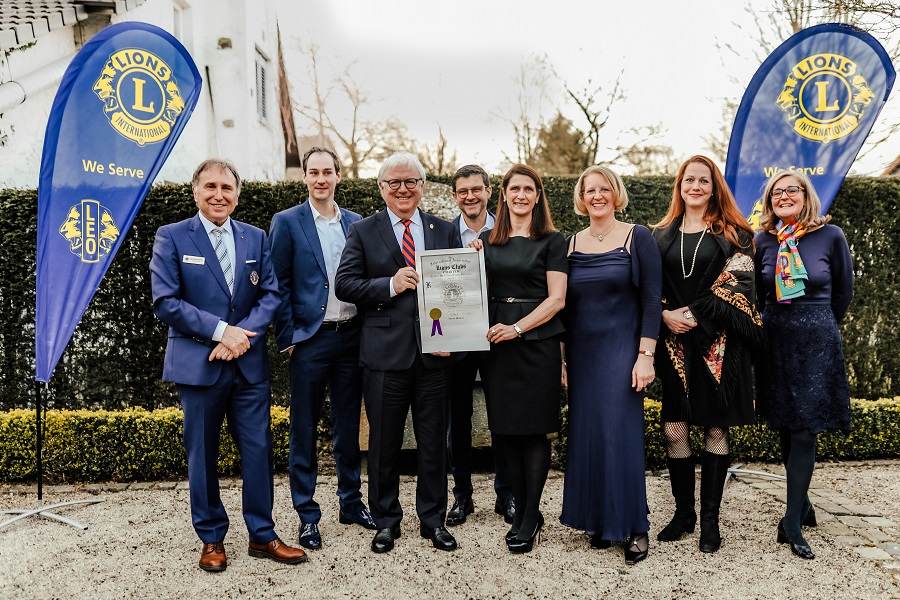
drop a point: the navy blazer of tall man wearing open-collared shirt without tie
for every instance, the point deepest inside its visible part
(300, 269)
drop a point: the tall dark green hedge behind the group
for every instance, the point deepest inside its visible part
(115, 358)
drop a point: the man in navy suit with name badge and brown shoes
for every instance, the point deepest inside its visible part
(214, 286)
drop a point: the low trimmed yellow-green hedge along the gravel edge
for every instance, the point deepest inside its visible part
(137, 444)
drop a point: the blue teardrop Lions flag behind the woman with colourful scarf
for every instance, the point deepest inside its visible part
(809, 107)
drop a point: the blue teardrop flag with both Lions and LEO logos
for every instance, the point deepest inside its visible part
(120, 108)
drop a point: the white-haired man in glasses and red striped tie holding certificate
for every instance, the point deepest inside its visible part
(377, 273)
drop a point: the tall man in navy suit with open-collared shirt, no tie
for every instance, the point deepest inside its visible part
(321, 333)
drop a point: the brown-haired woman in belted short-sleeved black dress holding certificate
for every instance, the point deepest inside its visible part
(525, 259)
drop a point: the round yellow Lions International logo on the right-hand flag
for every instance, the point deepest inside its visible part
(824, 97)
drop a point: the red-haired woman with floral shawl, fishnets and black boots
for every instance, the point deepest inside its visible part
(710, 327)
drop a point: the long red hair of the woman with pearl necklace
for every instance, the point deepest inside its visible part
(722, 213)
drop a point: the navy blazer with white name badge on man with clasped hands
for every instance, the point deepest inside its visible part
(192, 298)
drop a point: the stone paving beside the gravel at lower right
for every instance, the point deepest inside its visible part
(863, 528)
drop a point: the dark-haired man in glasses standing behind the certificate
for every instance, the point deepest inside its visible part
(471, 190)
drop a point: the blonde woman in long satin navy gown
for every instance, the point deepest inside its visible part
(612, 321)
